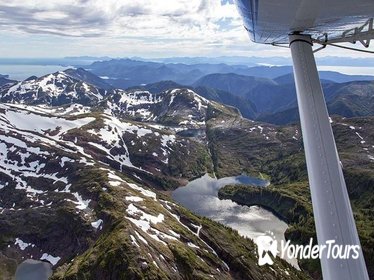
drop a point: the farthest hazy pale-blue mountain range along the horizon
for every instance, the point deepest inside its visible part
(124, 73)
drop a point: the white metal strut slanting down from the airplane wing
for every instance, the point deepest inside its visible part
(331, 206)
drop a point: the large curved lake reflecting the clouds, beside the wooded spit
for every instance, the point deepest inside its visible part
(201, 197)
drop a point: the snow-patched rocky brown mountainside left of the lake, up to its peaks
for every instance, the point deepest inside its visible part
(83, 185)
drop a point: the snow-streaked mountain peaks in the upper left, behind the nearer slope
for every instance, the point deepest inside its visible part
(80, 87)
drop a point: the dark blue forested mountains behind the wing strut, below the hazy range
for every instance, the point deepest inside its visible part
(275, 101)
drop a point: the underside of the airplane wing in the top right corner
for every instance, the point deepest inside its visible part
(270, 21)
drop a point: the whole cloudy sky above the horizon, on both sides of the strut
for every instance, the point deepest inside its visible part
(147, 28)
